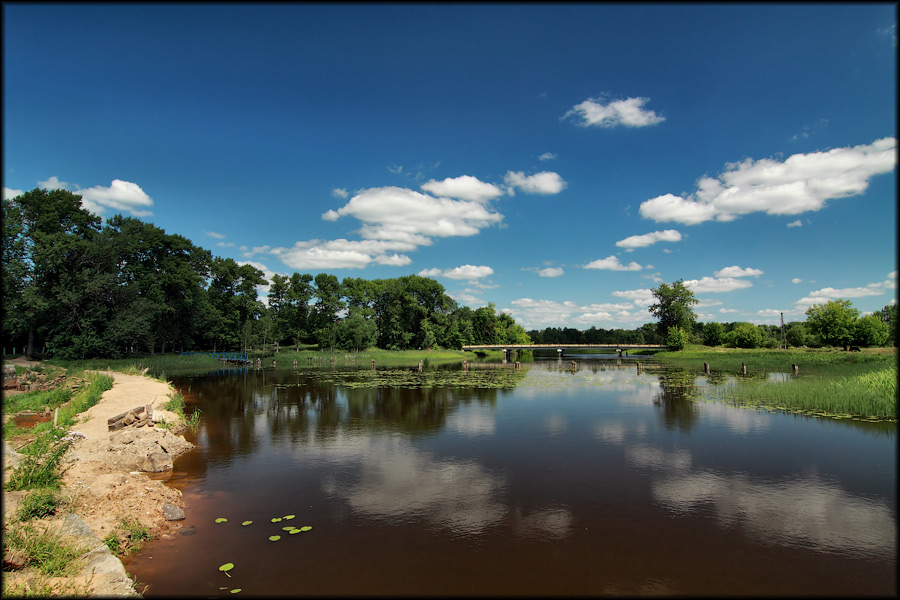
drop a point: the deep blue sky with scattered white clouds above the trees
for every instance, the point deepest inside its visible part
(556, 160)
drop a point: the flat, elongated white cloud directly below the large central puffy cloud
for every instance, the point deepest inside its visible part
(341, 254)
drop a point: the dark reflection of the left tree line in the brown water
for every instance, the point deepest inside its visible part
(244, 410)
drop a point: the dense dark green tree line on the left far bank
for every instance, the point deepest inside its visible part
(75, 287)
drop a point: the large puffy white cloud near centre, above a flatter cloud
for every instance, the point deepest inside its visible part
(393, 213)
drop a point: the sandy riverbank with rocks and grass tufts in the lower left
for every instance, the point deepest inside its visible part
(104, 487)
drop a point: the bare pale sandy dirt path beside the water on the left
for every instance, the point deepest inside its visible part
(102, 472)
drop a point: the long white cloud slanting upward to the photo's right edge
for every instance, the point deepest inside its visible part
(802, 183)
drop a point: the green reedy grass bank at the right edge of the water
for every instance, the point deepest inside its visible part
(838, 384)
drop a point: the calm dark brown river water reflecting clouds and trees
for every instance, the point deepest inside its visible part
(544, 480)
